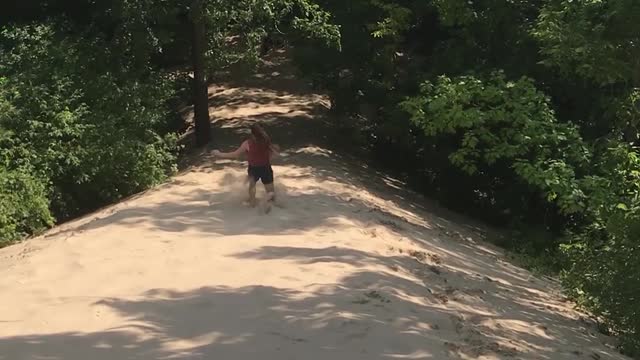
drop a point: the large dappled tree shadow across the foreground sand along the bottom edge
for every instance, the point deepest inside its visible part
(368, 315)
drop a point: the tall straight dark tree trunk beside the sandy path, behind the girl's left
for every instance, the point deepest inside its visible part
(200, 86)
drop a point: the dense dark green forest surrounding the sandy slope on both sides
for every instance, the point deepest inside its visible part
(517, 112)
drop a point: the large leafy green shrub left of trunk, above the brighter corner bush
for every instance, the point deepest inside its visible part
(101, 137)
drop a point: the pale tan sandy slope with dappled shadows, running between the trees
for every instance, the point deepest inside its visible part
(350, 267)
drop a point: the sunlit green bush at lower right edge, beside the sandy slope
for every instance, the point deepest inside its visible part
(603, 271)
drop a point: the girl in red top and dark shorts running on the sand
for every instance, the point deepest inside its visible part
(259, 150)
